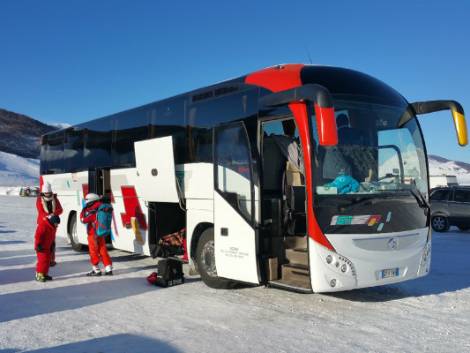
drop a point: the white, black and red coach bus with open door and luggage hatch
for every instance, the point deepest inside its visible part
(308, 178)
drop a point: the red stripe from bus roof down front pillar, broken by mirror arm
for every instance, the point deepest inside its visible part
(282, 78)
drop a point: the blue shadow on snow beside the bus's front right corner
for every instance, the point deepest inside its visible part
(450, 272)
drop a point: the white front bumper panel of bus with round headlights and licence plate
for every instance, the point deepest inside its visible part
(365, 260)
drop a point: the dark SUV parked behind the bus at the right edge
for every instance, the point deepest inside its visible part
(450, 206)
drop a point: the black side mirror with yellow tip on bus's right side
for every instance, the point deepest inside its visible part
(457, 113)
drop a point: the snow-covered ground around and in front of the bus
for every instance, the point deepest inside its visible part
(123, 313)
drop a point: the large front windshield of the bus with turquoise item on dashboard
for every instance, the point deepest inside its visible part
(375, 155)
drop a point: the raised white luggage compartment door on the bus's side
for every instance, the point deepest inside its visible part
(155, 165)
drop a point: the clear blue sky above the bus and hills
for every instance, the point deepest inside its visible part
(72, 61)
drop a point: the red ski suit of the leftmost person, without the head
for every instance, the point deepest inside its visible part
(43, 241)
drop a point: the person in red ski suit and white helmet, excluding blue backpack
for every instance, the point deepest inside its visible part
(96, 244)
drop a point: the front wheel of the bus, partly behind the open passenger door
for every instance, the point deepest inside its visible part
(205, 260)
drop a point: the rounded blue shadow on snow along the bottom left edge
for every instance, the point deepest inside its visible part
(121, 343)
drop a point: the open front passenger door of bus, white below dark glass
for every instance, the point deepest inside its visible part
(235, 237)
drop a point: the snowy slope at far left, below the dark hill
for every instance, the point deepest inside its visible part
(18, 171)
